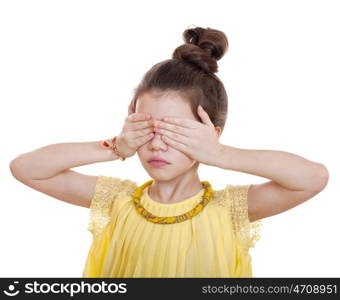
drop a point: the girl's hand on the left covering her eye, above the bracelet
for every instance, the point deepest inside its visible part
(137, 130)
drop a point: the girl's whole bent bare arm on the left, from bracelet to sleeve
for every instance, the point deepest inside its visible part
(47, 170)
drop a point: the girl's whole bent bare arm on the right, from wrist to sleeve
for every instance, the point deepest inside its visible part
(293, 179)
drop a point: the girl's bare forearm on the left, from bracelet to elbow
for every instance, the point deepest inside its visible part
(50, 160)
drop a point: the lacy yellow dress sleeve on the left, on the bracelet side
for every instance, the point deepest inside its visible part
(101, 203)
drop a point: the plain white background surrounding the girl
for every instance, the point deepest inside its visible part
(67, 71)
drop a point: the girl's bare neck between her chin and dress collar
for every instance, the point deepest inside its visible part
(176, 189)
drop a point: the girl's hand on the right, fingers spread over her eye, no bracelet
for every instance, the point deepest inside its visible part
(197, 140)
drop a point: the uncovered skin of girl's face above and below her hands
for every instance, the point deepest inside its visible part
(160, 105)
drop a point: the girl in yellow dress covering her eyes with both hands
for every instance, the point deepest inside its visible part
(174, 225)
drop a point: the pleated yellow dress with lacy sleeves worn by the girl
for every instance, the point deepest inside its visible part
(214, 243)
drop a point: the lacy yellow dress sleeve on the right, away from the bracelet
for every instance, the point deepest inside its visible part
(247, 232)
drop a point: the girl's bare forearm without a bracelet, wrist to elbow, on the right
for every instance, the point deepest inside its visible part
(289, 170)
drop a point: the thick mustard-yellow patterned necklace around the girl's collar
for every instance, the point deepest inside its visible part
(174, 219)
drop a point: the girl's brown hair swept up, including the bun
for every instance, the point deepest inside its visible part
(190, 72)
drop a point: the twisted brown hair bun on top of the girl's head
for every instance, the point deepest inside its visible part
(203, 47)
